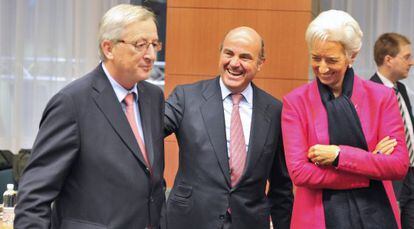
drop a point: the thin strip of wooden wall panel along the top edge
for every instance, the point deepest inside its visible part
(286, 5)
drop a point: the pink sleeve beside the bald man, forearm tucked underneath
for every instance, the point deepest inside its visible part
(301, 170)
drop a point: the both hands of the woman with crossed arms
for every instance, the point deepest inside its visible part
(326, 154)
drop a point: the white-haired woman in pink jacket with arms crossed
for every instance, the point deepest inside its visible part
(343, 136)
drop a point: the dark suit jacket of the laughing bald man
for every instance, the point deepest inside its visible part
(202, 193)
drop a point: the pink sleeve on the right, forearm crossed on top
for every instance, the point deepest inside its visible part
(380, 166)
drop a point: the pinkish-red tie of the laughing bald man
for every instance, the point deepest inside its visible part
(237, 143)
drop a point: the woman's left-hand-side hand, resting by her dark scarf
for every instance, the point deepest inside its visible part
(323, 154)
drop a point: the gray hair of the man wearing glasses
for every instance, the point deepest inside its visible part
(117, 18)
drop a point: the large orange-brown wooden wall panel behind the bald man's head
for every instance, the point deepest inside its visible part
(195, 35)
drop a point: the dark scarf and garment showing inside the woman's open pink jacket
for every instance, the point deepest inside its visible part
(352, 208)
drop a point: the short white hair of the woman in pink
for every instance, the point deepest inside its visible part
(338, 26)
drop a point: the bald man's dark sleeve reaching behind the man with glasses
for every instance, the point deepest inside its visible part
(174, 110)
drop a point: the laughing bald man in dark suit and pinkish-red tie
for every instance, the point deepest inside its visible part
(230, 144)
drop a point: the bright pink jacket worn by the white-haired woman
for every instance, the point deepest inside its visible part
(305, 123)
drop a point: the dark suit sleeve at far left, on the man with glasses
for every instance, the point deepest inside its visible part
(55, 148)
